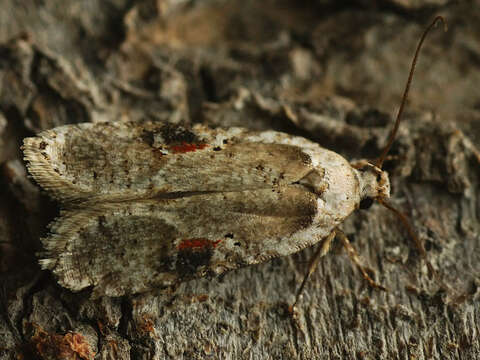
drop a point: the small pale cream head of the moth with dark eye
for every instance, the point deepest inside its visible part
(374, 183)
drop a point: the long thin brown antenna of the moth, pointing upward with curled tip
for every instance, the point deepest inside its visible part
(393, 133)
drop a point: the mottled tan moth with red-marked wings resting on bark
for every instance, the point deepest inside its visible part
(149, 205)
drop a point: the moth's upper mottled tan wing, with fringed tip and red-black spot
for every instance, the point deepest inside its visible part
(107, 162)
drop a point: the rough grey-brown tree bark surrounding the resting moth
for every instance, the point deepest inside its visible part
(333, 73)
